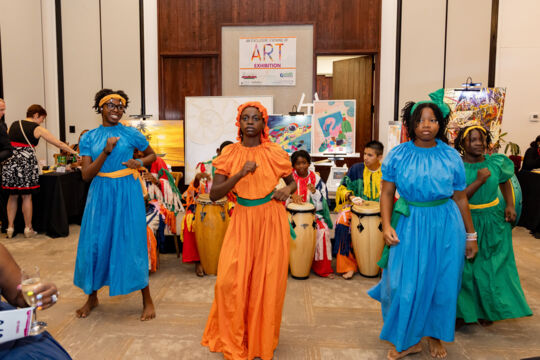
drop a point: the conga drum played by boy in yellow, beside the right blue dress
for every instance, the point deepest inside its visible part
(367, 238)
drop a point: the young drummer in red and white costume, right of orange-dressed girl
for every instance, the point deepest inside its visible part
(311, 188)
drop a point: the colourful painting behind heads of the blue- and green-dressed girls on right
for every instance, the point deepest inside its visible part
(484, 107)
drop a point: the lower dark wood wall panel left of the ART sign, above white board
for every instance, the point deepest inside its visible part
(186, 76)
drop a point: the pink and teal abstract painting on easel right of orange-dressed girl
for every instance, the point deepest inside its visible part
(334, 126)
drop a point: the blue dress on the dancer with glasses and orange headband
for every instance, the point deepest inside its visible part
(112, 246)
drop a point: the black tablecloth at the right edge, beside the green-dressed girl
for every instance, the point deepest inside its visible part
(530, 187)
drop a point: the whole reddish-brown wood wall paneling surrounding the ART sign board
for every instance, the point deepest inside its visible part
(191, 28)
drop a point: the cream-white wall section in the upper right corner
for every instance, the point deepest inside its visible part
(518, 60)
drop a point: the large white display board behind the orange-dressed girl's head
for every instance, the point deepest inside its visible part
(210, 120)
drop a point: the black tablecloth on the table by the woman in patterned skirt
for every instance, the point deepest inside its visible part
(60, 202)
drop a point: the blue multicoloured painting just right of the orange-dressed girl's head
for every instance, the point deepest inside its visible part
(291, 132)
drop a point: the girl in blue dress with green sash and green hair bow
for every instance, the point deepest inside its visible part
(427, 234)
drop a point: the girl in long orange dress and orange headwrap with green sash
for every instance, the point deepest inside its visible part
(245, 318)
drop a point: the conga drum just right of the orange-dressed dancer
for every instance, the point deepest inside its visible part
(302, 249)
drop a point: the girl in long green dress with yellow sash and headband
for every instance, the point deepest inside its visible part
(490, 289)
